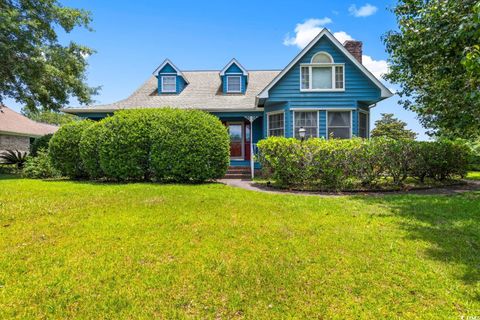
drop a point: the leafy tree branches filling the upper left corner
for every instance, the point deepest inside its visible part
(35, 68)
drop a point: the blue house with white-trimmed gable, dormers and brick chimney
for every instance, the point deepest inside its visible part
(324, 89)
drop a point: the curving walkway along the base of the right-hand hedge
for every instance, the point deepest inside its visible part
(448, 190)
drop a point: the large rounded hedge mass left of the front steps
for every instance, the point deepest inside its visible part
(144, 144)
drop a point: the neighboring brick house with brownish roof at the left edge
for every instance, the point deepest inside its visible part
(17, 131)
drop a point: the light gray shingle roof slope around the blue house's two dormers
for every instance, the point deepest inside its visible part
(203, 92)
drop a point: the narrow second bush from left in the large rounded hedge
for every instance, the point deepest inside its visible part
(89, 146)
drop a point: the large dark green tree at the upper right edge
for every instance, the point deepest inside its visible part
(435, 58)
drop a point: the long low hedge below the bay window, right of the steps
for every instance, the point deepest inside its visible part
(338, 164)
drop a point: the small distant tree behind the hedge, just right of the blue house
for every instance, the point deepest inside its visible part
(391, 127)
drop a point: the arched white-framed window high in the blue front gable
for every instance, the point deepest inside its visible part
(322, 74)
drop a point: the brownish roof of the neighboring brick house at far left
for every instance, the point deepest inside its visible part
(14, 123)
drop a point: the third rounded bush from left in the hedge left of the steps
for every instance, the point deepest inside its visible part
(125, 148)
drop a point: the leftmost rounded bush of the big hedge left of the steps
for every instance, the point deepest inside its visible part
(64, 149)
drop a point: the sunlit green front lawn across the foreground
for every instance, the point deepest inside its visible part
(97, 251)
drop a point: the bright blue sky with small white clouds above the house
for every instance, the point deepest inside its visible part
(133, 37)
